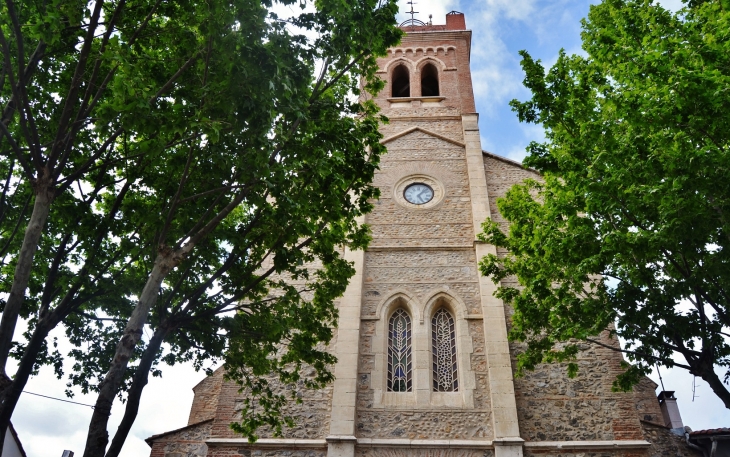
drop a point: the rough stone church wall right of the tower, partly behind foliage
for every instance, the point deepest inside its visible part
(552, 406)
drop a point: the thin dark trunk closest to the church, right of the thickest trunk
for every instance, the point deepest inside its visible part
(135, 392)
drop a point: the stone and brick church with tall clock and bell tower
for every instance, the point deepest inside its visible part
(424, 364)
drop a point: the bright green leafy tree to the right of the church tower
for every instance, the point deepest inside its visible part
(630, 228)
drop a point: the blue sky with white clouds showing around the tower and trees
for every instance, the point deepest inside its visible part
(500, 28)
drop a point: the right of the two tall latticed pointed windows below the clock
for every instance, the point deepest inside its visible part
(443, 337)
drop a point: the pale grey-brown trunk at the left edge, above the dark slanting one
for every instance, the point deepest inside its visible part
(38, 218)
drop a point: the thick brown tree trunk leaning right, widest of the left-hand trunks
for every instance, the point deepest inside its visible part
(98, 437)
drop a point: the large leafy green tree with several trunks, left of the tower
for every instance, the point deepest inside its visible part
(182, 160)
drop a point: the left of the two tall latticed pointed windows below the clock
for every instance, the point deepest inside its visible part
(399, 352)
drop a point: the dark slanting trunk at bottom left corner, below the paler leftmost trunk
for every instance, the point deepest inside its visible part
(11, 393)
